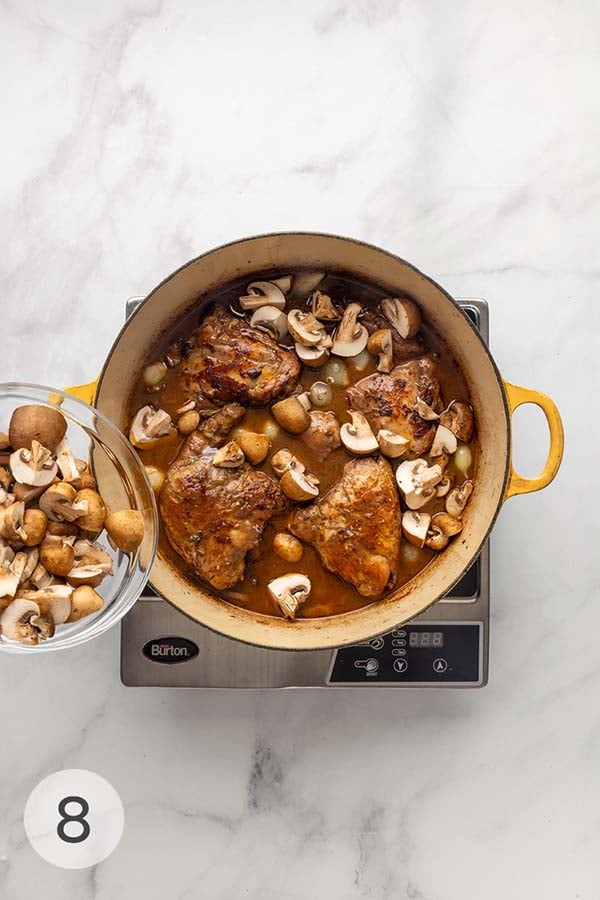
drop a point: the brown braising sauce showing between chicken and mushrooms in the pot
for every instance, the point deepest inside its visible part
(330, 595)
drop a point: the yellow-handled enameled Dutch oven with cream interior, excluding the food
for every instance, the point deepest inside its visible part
(494, 400)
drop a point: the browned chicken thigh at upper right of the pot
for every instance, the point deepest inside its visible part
(388, 401)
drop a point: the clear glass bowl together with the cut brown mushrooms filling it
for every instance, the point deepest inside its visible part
(78, 521)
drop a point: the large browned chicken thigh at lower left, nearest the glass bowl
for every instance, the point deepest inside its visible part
(213, 516)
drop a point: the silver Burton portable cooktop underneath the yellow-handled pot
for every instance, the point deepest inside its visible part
(446, 646)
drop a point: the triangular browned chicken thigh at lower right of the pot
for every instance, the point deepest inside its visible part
(356, 526)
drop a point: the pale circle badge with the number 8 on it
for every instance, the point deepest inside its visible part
(74, 819)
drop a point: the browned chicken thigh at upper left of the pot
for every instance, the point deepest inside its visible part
(235, 362)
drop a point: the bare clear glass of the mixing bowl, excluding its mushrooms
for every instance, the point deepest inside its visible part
(122, 483)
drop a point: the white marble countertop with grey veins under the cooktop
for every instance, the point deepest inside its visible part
(463, 136)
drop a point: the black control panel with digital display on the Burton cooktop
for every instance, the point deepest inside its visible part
(427, 653)
